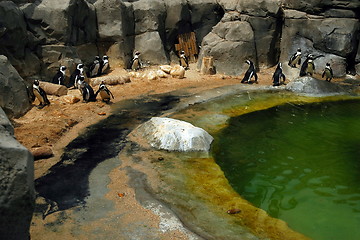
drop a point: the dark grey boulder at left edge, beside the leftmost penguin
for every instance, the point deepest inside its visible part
(14, 98)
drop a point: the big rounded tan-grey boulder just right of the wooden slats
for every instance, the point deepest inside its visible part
(230, 44)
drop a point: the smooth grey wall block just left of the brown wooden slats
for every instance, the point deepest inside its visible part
(150, 46)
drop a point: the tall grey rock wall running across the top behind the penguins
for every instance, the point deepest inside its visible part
(50, 33)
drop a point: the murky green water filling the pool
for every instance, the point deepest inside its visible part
(300, 163)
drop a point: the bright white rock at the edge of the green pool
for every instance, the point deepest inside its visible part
(175, 135)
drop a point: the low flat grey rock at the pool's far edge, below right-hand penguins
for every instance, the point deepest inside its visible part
(314, 87)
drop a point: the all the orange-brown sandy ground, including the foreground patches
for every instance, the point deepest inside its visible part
(58, 124)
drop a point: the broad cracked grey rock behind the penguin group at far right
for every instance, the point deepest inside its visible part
(332, 37)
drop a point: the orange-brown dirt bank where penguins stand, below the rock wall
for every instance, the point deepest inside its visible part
(56, 125)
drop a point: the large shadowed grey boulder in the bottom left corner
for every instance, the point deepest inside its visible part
(17, 194)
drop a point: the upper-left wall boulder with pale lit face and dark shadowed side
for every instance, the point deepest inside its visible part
(68, 22)
